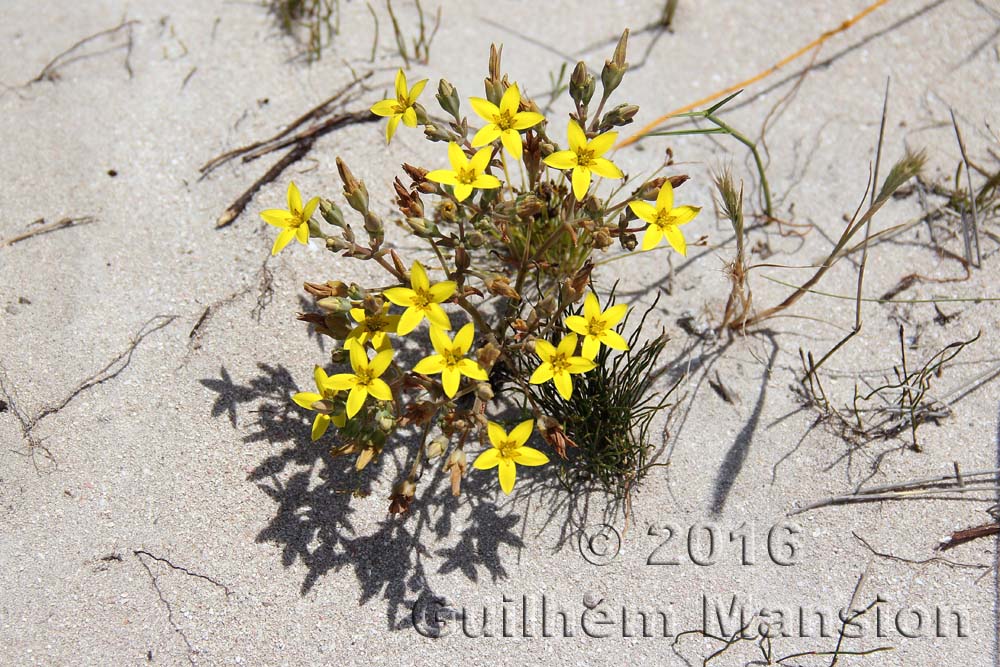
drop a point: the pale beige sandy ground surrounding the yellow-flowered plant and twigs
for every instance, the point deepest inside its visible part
(172, 509)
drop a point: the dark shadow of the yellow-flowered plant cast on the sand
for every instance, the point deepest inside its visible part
(314, 520)
